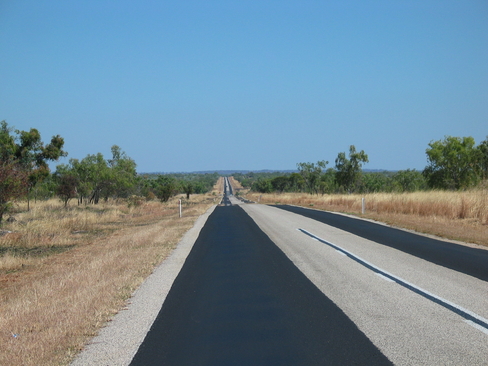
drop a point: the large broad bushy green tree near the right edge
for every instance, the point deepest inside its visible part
(452, 163)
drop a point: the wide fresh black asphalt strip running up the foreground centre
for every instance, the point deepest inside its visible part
(239, 300)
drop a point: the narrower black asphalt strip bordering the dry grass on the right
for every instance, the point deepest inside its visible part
(470, 261)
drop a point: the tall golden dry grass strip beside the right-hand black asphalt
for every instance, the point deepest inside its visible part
(460, 216)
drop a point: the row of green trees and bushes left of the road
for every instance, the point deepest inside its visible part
(25, 174)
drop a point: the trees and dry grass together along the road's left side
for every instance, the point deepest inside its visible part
(75, 243)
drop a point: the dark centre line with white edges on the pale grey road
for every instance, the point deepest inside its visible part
(471, 318)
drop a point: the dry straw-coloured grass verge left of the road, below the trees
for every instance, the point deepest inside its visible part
(64, 273)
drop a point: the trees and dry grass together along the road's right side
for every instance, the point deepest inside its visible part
(449, 198)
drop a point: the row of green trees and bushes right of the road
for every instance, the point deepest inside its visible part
(453, 163)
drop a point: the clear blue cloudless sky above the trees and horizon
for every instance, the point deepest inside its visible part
(208, 85)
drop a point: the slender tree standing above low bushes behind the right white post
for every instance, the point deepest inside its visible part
(349, 170)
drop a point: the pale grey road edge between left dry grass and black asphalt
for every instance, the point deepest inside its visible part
(117, 343)
